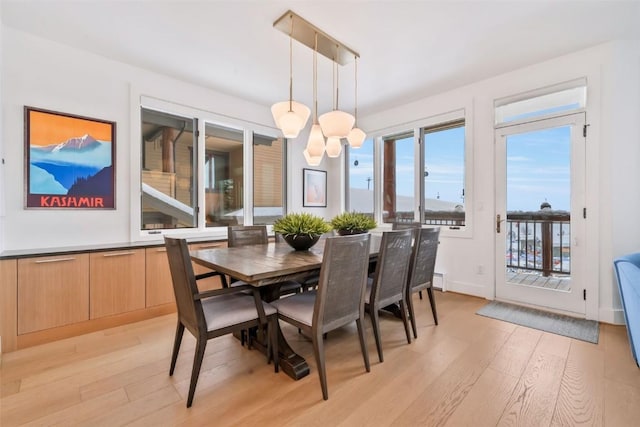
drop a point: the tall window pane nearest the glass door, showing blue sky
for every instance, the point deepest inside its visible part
(444, 175)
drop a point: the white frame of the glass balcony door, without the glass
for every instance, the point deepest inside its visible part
(540, 297)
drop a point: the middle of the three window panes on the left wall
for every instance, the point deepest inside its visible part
(223, 176)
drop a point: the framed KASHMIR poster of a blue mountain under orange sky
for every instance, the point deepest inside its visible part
(69, 161)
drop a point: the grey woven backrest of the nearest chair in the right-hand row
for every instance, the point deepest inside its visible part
(343, 278)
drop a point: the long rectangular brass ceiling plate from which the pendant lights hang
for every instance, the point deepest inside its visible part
(305, 33)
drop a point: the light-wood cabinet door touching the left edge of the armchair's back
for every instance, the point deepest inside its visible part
(158, 277)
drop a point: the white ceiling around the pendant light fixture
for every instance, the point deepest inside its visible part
(408, 49)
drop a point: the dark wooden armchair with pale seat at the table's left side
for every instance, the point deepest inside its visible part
(213, 313)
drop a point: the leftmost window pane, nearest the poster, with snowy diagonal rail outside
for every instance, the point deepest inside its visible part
(168, 172)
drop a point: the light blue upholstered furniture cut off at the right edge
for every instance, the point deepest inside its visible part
(628, 273)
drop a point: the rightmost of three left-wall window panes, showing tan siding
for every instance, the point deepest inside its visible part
(268, 179)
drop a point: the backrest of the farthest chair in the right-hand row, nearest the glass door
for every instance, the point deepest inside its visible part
(423, 261)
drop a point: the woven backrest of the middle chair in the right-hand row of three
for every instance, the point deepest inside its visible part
(392, 269)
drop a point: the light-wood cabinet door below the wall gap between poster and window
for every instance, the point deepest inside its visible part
(117, 282)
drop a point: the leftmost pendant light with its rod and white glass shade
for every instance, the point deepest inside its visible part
(290, 116)
